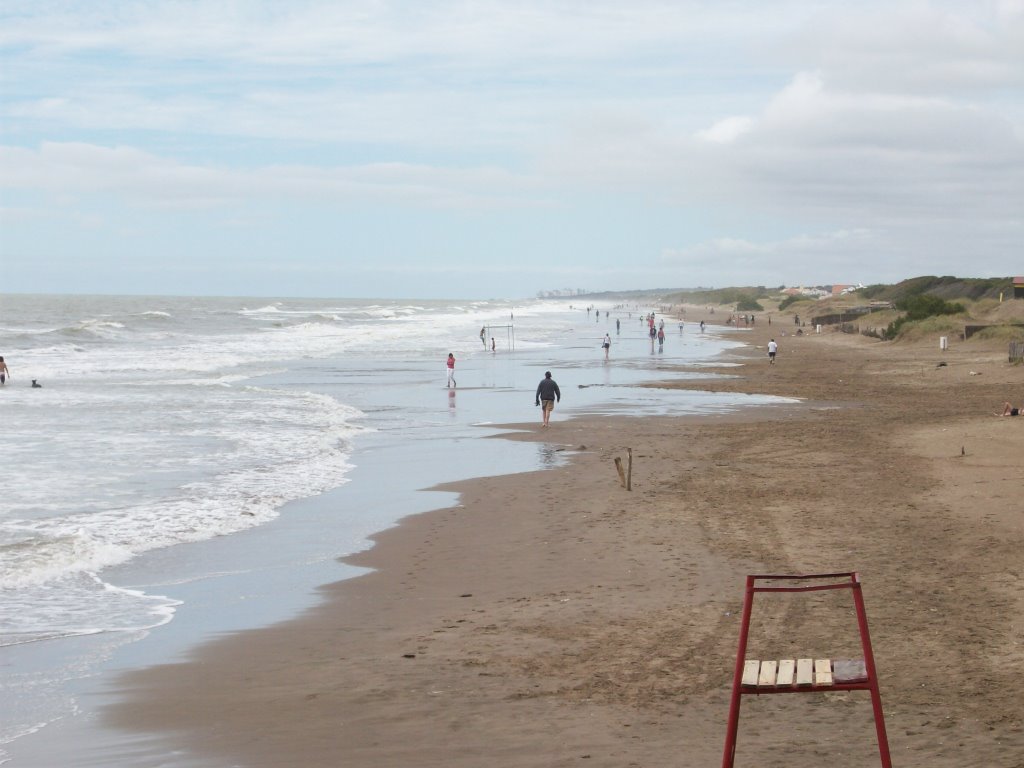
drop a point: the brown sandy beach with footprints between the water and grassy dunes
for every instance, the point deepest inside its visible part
(556, 619)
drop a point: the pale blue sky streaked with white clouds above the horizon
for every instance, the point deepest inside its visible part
(381, 149)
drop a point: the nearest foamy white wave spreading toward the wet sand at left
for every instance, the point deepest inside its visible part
(110, 473)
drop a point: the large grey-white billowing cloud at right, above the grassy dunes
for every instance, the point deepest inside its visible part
(815, 152)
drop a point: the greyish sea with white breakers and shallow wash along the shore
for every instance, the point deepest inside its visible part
(172, 438)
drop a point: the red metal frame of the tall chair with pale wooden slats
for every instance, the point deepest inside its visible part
(850, 581)
